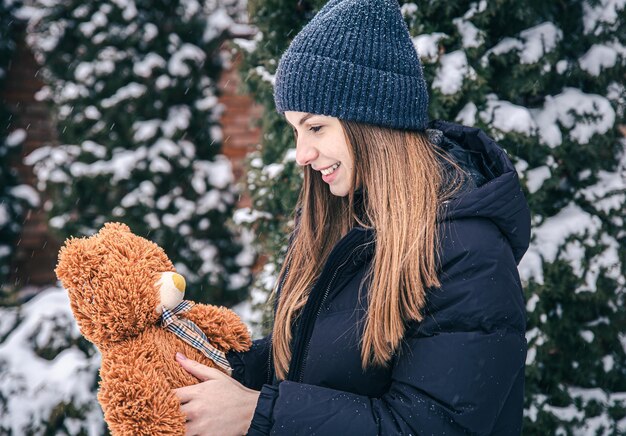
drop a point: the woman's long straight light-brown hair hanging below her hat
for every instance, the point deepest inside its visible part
(401, 174)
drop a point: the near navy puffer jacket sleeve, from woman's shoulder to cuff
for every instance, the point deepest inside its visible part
(455, 370)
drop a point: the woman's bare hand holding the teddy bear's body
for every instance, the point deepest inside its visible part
(218, 405)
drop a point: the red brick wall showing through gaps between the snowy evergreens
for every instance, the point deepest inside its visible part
(37, 248)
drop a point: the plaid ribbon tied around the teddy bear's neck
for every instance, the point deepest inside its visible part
(191, 333)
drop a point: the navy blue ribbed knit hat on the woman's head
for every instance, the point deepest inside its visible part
(355, 61)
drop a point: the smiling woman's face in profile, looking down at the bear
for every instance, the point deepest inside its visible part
(320, 142)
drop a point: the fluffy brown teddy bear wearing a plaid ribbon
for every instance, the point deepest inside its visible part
(128, 301)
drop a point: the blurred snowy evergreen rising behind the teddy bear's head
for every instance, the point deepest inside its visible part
(134, 92)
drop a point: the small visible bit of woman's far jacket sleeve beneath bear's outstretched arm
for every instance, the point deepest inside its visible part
(251, 368)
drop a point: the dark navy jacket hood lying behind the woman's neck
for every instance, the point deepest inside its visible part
(500, 198)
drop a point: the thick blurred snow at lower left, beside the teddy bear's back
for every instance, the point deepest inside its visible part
(32, 385)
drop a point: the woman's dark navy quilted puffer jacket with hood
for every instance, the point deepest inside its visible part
(459, 371)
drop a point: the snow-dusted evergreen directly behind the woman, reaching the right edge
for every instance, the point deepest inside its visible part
(546, 80)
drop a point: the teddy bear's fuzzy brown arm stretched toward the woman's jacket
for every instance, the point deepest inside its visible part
(223, 327)
